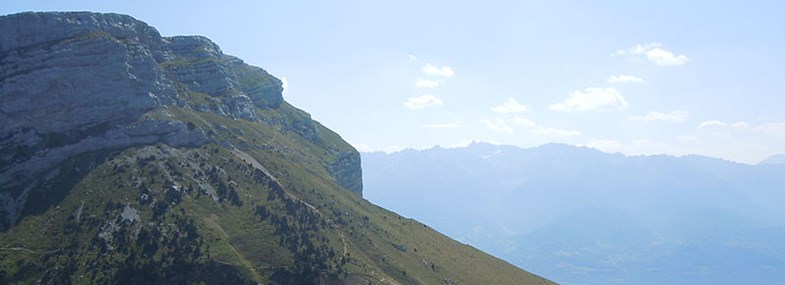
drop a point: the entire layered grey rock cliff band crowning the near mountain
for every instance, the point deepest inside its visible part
(75, 83)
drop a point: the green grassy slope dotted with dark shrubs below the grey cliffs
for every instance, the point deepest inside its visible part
(212, 215)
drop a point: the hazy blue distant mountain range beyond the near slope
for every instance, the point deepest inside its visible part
(581, 216)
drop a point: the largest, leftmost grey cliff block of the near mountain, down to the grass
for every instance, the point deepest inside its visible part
(74, 83)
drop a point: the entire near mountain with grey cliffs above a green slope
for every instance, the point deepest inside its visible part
(127, 157)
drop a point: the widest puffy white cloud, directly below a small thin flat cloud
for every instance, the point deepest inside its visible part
(592, 99)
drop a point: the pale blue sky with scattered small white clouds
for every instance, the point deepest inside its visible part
(636, 77)
